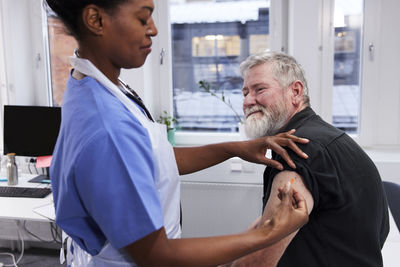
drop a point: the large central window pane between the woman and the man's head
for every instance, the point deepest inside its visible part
(209, 41)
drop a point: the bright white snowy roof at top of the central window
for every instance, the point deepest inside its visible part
(208, 12)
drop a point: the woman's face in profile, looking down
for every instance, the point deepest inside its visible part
(128, 37)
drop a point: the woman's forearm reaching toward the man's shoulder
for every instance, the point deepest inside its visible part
(192, 159)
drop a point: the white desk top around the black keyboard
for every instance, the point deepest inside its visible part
(23, 208)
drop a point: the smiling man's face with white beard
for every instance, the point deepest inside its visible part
(265, 102)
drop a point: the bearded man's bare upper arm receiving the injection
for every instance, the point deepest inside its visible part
(271, 255)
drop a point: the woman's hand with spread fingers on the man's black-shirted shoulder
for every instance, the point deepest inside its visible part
(255, 150)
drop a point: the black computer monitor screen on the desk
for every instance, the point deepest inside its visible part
(31, 131)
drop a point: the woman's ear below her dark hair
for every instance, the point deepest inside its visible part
(93, 19)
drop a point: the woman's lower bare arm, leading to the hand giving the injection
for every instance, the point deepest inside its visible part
(156, 250)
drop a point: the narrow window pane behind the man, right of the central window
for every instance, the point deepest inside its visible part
(348, 18)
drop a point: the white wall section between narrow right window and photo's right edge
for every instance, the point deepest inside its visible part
(380, 110)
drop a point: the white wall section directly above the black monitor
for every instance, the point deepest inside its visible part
(22, 33)
